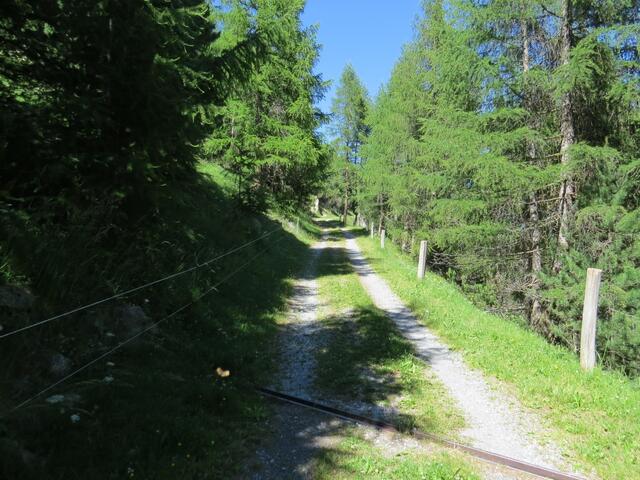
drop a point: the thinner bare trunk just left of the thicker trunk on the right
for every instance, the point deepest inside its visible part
(536, 319)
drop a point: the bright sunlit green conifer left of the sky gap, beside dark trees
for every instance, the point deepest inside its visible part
(267, 134)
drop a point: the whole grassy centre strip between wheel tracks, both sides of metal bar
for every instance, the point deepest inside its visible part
(366, 360)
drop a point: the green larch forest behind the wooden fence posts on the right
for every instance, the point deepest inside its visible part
(507, 137)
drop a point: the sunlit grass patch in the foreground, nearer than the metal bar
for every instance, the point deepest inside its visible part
(355, 458)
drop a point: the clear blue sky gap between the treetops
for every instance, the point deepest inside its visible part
(369, 34)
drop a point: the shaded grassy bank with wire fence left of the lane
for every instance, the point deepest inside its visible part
(155, 409)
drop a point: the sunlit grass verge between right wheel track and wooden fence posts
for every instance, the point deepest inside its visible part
(595, 415)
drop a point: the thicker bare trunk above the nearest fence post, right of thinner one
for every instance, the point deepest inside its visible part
(567, 132)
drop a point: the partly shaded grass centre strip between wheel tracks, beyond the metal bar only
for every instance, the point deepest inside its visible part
(366, 358)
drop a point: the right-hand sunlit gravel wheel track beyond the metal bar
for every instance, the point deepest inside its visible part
(495, 420)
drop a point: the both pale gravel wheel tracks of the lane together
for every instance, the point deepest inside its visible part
(495, 420)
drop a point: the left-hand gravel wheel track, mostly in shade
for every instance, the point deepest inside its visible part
(298, 434)
